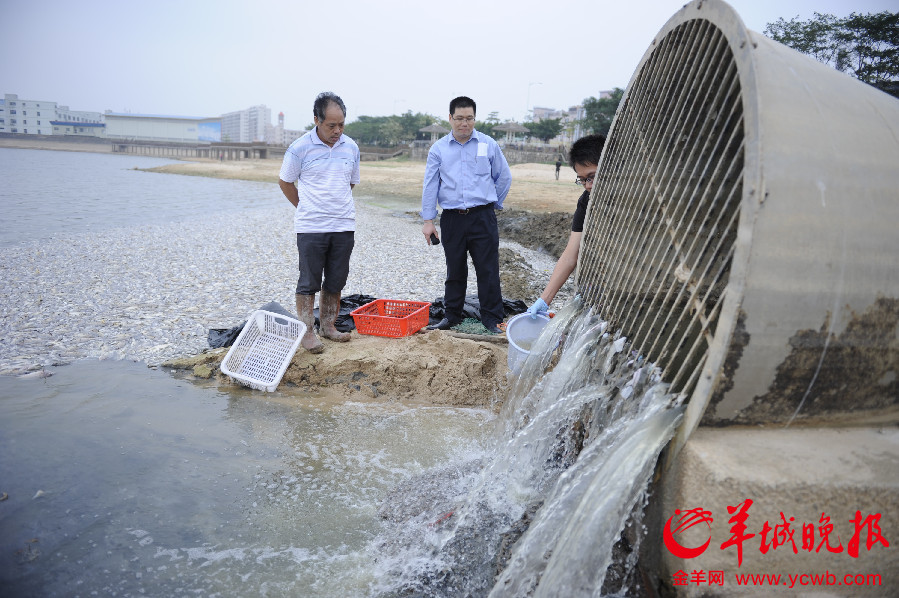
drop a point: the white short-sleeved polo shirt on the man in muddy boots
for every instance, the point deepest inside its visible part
(323, 176)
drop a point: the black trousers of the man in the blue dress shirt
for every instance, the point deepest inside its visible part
(475, 234)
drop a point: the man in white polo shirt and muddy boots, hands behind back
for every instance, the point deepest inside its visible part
(317, 176)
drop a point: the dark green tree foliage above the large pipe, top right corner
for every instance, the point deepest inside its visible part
(863, 46)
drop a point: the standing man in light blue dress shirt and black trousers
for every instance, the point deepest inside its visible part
(468, 176)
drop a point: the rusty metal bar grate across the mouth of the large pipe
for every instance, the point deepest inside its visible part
(662, 224)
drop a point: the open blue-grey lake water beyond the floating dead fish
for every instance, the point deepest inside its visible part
(46, 192)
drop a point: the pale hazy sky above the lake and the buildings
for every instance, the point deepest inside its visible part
(205, 57)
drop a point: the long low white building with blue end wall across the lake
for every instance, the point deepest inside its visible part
(163, 129)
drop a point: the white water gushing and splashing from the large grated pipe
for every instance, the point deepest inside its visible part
(540, 513)
